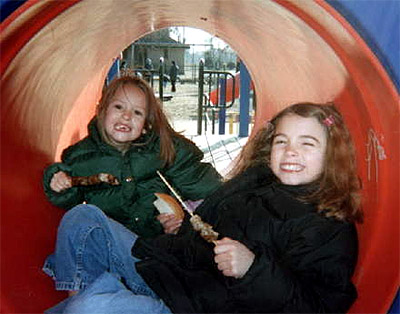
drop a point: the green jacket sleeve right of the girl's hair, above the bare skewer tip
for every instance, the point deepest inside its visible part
(194, 179)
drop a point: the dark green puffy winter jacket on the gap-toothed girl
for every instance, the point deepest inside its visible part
(131, 202)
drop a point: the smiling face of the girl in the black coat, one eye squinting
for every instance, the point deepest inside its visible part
(298, 150)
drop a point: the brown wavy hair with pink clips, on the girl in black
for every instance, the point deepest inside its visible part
(338, 187)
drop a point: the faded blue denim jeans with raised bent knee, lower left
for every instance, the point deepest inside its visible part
(93, 255)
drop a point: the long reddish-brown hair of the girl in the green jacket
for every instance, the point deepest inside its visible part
(156, 121)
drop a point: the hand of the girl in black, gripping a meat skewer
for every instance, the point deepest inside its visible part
(232, 257)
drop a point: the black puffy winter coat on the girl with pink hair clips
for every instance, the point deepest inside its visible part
(304, 262)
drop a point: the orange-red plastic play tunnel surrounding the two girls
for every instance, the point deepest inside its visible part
(55, 56)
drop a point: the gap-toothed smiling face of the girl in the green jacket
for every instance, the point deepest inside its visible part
(126, 115)
